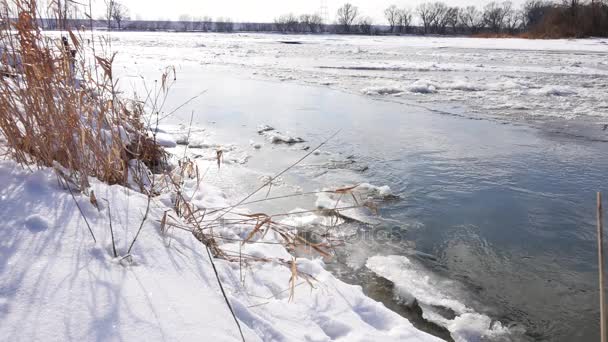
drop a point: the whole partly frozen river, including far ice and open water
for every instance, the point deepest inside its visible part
(493, 221)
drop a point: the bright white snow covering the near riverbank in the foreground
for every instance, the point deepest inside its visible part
(56, 284)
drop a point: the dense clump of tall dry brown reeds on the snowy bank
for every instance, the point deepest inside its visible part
(58, 104)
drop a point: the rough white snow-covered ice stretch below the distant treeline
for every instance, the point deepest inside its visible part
(505, 79)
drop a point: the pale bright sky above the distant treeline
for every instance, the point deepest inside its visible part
(263, 10)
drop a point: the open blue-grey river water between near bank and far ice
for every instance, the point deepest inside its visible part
(500, 216)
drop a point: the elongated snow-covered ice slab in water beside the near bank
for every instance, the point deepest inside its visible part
(412, 282)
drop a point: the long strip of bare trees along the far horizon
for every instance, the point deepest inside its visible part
(534, 19)
